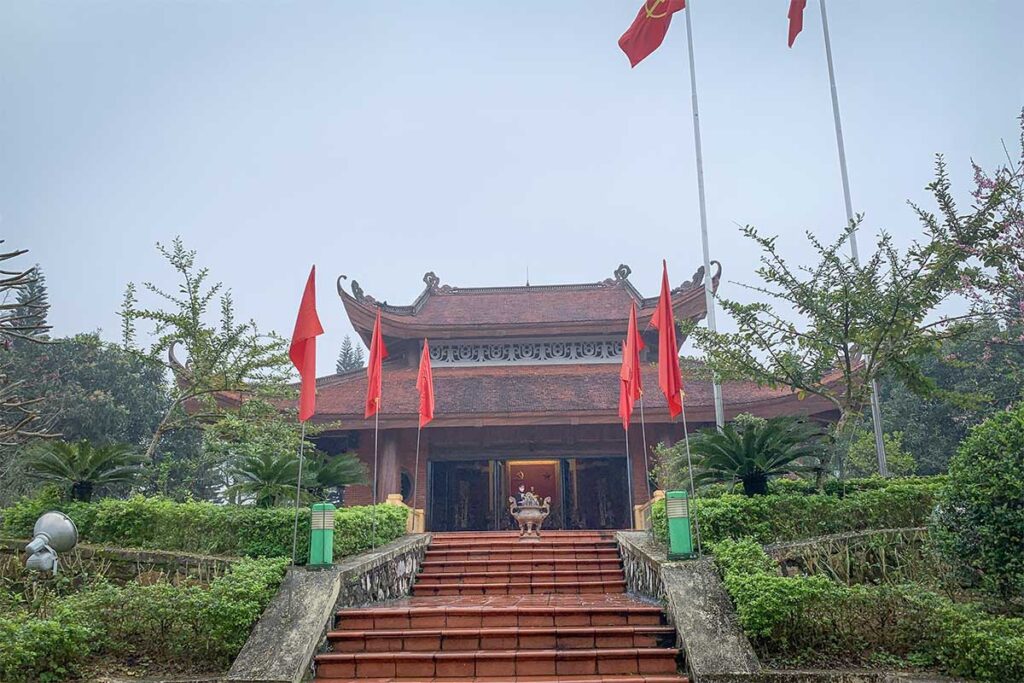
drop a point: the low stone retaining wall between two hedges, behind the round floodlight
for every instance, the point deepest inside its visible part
(125, 565)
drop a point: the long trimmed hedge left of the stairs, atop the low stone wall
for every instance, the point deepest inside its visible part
(204, 528)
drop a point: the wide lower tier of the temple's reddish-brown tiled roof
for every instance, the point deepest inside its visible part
(556, 393)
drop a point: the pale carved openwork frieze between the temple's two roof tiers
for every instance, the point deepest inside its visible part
(527, 353)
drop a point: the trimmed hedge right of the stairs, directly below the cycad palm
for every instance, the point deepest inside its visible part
(782, 518)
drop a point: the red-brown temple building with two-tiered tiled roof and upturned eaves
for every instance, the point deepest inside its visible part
(527, 387)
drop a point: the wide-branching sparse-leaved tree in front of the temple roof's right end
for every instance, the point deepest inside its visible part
(858, 322)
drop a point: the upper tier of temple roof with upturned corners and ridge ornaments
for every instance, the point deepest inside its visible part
(447, 312)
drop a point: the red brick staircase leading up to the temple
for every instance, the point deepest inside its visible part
(488, 608)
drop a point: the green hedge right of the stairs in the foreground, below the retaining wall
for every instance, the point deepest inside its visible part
(807, 620)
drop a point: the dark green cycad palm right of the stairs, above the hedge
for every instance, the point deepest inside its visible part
(753, 451)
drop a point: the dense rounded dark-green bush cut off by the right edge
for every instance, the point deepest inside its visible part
(980, 525)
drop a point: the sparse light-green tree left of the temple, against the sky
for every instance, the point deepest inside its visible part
(223, 359)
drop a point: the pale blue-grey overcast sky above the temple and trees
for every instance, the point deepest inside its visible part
(476, 140)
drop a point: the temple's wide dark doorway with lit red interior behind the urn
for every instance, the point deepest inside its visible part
(587, 493)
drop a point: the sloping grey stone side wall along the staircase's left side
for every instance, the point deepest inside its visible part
(282, 647)
